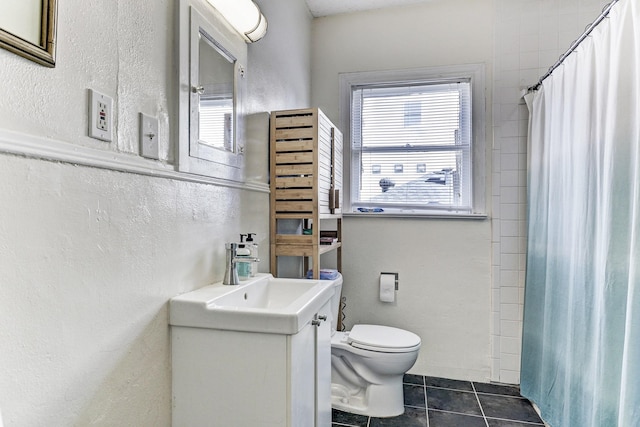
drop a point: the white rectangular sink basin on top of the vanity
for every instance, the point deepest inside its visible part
(260, 304)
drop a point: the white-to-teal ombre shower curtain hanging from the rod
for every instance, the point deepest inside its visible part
(581, 337)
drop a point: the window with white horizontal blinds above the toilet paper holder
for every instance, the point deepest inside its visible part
(419, 131)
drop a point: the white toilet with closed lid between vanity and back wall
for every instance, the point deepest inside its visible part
(368, 364)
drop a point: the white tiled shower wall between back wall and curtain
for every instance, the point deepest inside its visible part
(530, 35)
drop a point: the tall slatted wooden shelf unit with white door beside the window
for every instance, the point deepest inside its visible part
(306, 183)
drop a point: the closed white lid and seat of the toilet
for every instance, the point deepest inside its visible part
(383, 338)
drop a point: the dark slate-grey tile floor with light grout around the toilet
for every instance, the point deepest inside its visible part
(439, 402)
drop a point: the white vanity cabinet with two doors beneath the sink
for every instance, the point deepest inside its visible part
(236, 378)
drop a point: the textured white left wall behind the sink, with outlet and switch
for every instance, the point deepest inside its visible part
(89, 257)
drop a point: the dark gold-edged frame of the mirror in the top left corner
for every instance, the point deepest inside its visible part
(43, 53)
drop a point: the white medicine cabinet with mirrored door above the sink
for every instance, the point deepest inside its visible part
(212, 79)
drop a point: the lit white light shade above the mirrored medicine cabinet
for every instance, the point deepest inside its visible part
(244, 16)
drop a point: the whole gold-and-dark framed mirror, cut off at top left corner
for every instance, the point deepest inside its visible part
(28, 28)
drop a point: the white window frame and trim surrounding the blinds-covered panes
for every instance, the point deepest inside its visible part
(475, 73)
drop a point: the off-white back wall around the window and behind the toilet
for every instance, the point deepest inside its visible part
(444, 265)
